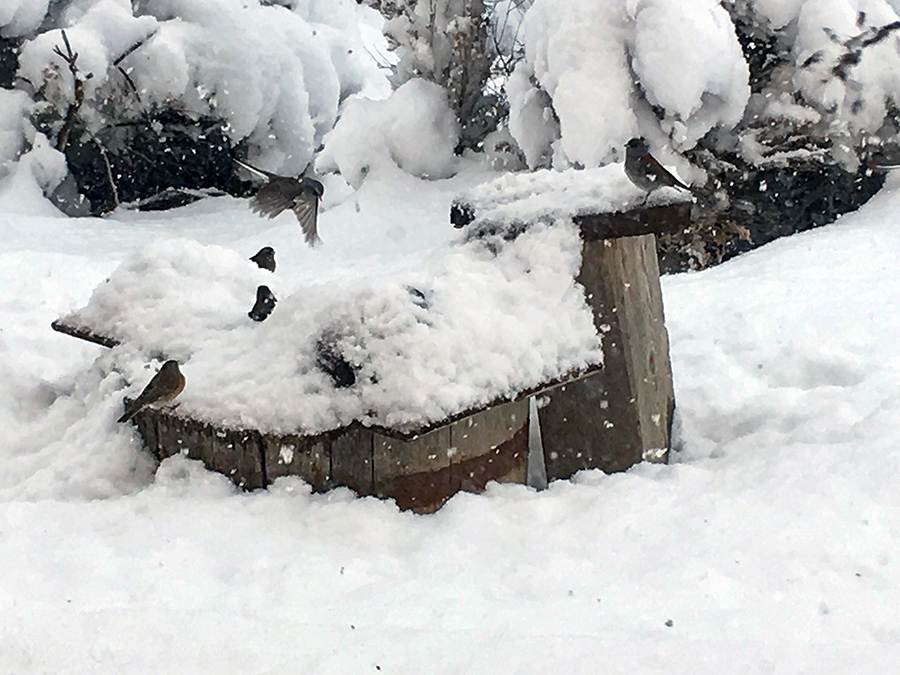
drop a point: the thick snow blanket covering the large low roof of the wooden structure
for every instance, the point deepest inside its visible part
(479, 322)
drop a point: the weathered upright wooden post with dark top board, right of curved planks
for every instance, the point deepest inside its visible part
(622, 415)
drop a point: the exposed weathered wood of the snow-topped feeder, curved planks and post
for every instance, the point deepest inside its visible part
(607, 418)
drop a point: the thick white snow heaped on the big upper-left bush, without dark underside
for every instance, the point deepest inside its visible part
(275, 76)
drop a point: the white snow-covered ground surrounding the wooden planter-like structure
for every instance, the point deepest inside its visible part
(769, 545)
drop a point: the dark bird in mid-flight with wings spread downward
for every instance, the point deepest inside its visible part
(301, 195)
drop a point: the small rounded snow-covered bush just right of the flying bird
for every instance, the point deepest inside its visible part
(414, 129)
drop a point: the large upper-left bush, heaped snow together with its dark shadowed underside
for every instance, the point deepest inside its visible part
(191, 79)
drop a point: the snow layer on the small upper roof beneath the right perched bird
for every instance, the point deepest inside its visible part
(545, 196)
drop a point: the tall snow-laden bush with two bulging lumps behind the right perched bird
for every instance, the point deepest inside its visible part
(610, 70)
